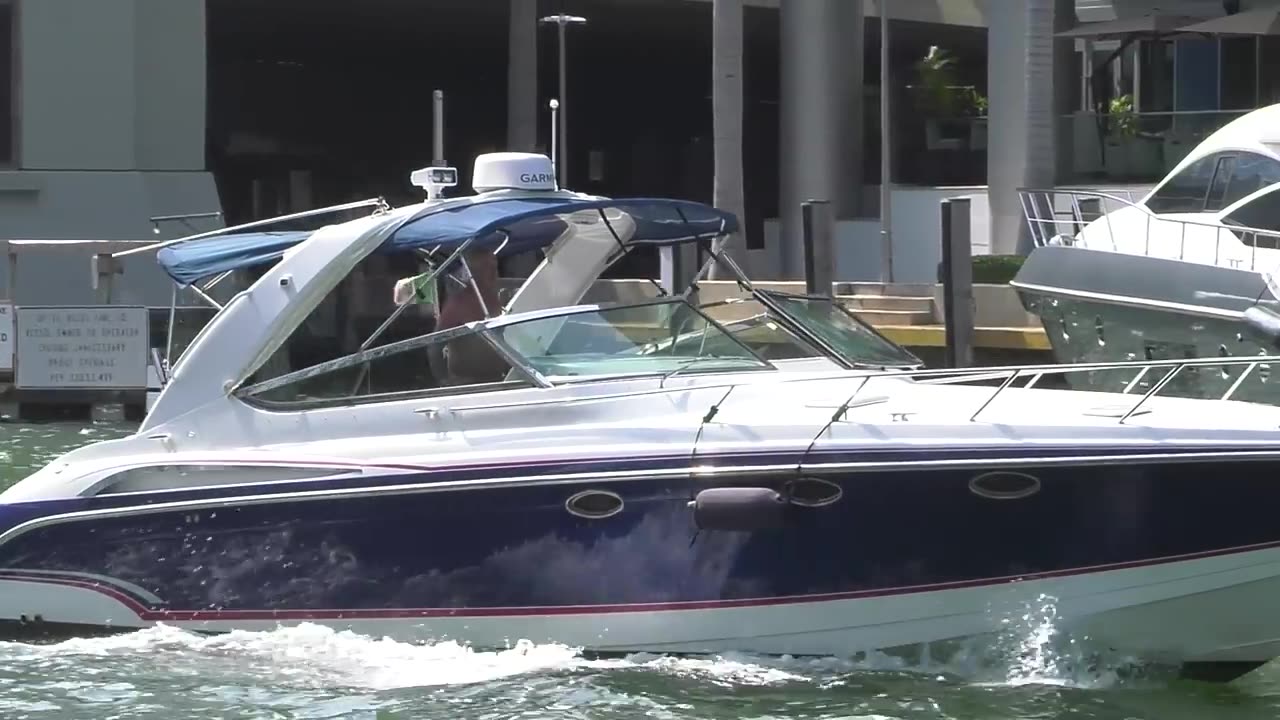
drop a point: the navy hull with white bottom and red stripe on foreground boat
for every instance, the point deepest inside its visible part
(1176, 559)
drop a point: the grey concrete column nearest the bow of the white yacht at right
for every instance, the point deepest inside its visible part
(1021, 116)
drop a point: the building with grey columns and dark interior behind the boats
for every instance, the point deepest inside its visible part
(113, 112)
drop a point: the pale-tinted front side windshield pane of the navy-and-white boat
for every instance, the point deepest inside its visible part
(638, 340)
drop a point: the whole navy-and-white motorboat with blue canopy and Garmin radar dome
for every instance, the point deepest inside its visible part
(637, 477)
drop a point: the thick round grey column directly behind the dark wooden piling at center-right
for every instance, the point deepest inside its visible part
(821, 113)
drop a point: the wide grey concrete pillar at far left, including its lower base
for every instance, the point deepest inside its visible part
(112, 127)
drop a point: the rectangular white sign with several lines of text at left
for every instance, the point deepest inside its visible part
(97, 348)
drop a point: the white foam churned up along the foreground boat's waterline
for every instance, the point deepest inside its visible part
(1027, 653)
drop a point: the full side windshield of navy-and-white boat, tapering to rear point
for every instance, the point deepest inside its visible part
(523, 352)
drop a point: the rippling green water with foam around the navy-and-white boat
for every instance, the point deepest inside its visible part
(314, 673)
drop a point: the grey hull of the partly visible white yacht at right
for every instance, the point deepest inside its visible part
(1100, 307)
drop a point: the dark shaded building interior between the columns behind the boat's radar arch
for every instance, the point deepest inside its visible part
(321, 102)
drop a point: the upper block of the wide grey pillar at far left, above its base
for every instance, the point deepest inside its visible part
(113, 86)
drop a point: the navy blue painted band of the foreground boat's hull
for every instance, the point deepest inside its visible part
(518, 550)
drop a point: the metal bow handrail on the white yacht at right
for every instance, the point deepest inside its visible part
(1041, 211)
